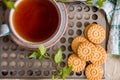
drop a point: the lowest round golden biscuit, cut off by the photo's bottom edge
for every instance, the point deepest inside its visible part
(94, 72)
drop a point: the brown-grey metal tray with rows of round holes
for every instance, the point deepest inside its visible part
(14, 62)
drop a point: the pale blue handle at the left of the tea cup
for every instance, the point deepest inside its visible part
(4, 30)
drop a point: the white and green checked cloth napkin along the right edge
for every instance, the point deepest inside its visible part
(112, 9)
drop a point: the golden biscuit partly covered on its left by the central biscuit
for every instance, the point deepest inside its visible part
(100, 56)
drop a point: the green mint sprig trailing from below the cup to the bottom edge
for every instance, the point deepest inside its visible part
(58, 58)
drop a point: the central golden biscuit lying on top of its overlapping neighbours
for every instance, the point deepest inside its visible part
(86, 51)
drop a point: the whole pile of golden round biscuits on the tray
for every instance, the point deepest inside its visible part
(88, 48)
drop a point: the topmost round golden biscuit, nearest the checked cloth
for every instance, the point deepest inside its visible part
(95, 33)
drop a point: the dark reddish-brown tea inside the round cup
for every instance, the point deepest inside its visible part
(36, 20)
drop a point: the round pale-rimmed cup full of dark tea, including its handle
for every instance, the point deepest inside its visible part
(36, 22)
